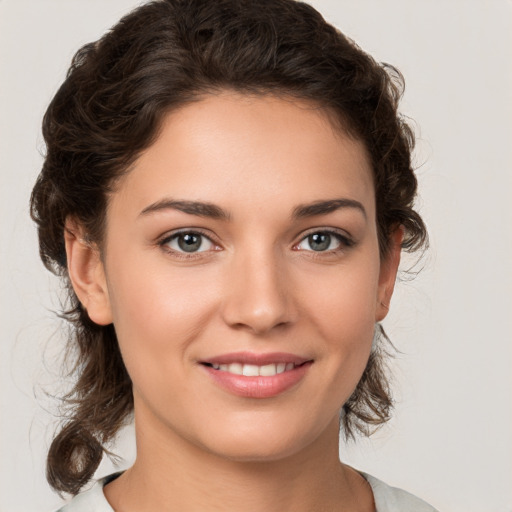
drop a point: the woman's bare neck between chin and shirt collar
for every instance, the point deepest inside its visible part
(172, 474)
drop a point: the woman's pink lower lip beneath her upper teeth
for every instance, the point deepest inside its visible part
(258, 387)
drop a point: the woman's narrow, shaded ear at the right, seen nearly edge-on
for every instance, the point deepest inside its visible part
(387, 275)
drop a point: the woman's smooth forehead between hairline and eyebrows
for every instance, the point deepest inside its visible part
(246, 149)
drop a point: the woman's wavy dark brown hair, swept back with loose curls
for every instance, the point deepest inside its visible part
(109, 109)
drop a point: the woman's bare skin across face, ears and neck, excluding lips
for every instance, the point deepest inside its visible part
(257, 285)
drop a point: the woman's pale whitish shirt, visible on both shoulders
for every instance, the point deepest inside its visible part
(387, 499)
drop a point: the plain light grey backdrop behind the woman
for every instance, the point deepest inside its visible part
(450, 440)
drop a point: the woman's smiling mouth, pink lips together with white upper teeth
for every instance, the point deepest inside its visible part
(257, 375)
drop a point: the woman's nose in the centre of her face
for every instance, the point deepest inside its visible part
(259, 297)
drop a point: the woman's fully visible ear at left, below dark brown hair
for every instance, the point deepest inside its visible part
(87, 273)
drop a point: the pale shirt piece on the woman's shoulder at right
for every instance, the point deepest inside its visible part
(392, 499)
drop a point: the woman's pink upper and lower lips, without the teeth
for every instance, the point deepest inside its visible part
(257, 387)
